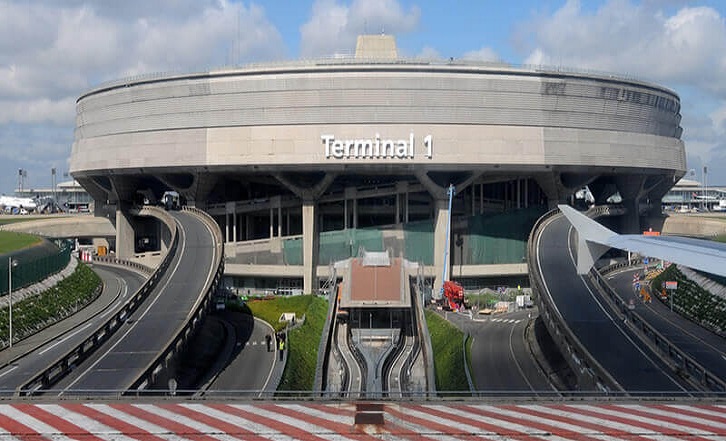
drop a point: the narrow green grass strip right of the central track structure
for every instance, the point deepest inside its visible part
(447, 345)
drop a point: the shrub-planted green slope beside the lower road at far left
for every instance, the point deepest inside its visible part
(39, 311)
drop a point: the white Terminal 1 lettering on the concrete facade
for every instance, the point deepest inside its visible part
(376, 147)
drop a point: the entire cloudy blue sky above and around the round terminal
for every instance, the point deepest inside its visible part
(51, 51)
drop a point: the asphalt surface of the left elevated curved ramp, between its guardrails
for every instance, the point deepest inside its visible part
(121, 359)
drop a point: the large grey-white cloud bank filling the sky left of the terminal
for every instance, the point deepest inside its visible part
(51, 51)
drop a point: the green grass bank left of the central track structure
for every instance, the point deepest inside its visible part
(303, 341)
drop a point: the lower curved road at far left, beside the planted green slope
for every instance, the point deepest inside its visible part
(34, 353)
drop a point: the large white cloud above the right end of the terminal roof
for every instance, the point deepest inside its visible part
(686, 47)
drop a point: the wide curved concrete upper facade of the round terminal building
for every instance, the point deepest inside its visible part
(298, 115)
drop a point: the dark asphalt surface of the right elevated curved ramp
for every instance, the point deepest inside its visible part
(604, 336)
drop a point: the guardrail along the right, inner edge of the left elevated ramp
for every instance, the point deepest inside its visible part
(186, 331)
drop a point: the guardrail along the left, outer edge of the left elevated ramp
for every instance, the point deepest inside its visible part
(63, 365)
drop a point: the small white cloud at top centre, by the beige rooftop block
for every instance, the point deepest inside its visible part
(334, 26)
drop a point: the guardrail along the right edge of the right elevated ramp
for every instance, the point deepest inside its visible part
(682, 363)
